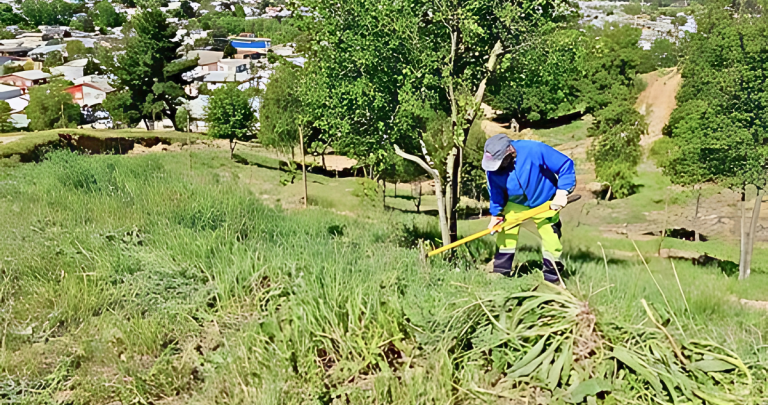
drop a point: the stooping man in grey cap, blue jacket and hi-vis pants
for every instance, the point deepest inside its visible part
(523, 175)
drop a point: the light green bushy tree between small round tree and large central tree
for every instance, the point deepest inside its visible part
(282, 112)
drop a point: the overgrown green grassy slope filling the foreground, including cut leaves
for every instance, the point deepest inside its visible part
(134, 279)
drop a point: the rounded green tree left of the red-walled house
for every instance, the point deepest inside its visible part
(52, 107)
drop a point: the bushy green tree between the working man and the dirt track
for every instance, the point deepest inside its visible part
(616, 149)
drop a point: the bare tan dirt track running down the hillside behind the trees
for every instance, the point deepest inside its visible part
(657, 101)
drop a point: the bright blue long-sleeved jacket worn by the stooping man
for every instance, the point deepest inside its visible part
(538, 171)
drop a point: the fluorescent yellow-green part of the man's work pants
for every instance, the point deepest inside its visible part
(548, 225)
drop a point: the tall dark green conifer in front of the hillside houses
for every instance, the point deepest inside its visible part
(149, 69)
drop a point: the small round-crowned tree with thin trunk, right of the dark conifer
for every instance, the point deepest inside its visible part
(229, 115)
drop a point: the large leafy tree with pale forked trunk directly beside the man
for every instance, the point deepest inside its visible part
(391, 69)
